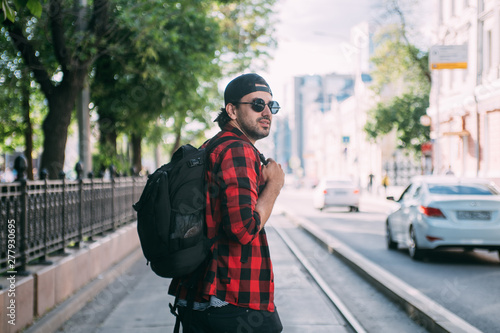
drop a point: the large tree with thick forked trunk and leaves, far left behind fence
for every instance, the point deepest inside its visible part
(59, 53)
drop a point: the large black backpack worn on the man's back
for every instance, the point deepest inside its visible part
(171, 213)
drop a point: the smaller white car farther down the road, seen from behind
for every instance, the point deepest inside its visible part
(336, 193)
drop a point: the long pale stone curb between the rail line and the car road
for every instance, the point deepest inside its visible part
(419, 307)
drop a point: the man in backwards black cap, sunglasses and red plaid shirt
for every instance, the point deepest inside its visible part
(236, 291)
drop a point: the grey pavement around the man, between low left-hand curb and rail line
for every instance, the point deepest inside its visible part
(144, 305)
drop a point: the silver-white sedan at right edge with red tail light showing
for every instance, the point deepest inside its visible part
(446, 212)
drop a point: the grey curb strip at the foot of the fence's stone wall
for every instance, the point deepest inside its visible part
(60, 314)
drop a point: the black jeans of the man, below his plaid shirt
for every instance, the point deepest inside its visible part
(231, 319)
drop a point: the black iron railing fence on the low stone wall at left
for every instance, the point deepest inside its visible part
(41, 217)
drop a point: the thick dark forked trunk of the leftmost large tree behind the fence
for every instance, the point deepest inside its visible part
(61, 98)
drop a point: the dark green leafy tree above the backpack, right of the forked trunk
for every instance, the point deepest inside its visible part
(157, 71)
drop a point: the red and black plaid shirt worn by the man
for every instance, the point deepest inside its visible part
(240, 271)
